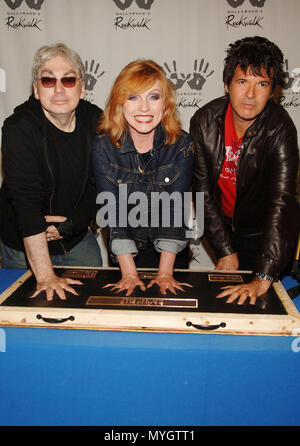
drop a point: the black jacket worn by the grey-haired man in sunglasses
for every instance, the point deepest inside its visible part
(30, 190)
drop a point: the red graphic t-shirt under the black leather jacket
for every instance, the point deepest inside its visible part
(227, 179)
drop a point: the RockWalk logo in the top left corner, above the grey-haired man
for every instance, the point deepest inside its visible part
(24, 14)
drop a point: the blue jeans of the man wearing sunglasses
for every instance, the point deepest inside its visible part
(85, 253)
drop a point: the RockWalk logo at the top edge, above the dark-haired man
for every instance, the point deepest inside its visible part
(245, 14)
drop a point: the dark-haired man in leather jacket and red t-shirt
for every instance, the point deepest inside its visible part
(246, 163)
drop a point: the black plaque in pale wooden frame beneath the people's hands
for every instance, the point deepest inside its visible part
(203, 291)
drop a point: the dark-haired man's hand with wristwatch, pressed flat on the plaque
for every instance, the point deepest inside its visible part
(254, 289)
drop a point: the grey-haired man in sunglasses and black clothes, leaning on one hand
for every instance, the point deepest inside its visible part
(48, 197)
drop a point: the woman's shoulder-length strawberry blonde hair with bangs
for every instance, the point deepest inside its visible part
(137, 77)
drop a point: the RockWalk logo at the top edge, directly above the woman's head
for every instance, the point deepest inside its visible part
(132, 15)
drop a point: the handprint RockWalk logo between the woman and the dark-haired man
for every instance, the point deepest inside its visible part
(189, 85)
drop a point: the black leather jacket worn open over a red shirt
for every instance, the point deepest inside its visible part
(266, 202)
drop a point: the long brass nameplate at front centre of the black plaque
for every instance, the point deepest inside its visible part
(142, 302)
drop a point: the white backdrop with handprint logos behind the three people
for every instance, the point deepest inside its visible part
(187, 37)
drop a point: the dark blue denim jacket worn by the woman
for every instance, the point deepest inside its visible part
(172, 163)
